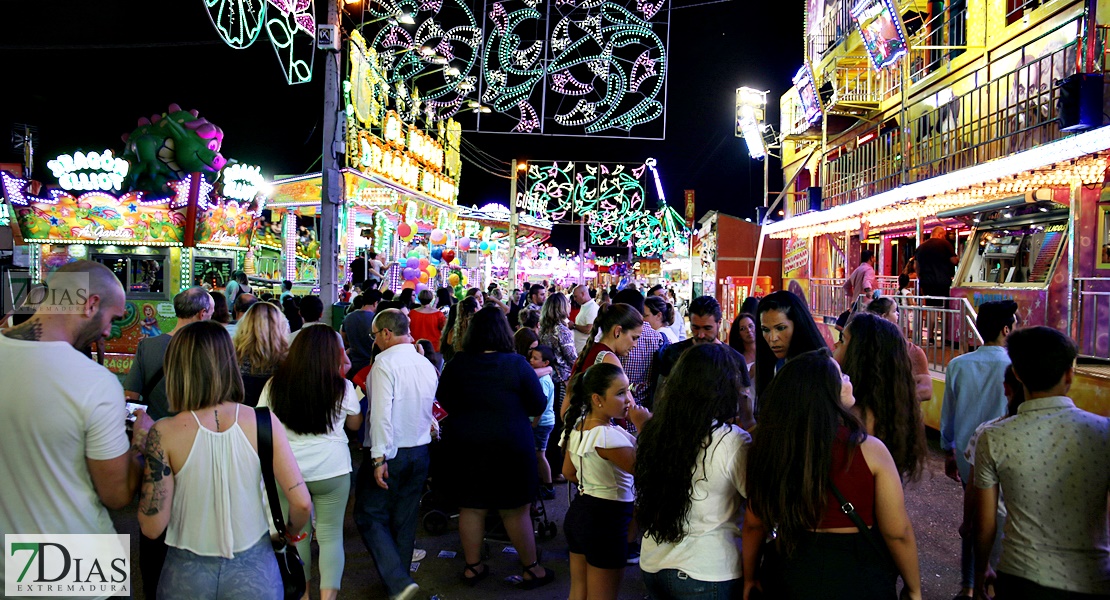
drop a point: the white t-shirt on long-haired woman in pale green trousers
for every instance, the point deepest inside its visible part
(322, 456)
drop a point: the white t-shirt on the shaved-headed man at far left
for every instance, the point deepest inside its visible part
(59, 409)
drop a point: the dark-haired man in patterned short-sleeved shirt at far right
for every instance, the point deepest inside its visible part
(1052, 462)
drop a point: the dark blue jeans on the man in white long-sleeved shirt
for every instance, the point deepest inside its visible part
(387, 518)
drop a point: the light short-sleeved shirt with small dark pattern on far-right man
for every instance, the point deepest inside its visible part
(1053, 463)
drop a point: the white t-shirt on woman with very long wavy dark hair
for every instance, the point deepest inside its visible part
(711, 551)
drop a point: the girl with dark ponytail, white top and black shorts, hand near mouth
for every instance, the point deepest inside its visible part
(601, 461)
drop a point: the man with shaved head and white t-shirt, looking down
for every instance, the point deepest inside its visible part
(65, 456)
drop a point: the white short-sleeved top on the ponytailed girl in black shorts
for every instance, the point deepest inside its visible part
(598, 477)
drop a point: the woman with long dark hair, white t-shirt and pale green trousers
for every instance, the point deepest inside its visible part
(314, 401)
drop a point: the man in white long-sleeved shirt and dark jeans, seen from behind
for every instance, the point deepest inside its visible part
(395, 455)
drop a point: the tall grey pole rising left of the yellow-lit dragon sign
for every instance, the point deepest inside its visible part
(330, 192)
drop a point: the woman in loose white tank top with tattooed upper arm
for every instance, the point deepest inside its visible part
(203, 479)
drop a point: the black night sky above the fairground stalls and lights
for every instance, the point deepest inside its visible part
(84, 73)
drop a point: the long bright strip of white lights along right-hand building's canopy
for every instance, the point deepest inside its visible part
(1063, 162)
